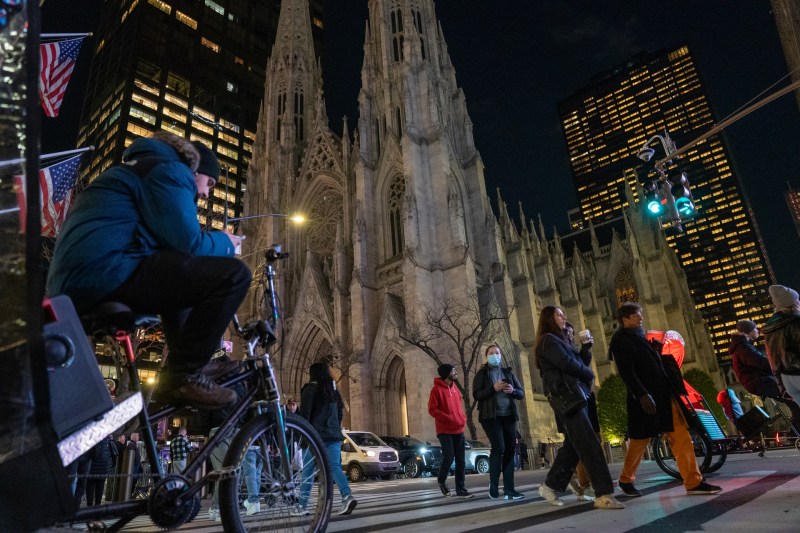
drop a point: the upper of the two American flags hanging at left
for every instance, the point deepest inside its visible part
(57, 62)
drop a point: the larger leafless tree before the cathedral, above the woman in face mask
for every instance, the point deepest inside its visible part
(453, 332)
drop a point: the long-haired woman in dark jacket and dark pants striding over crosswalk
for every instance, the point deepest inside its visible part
(559, 362)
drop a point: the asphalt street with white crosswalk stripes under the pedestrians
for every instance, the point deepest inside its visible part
(388, 507)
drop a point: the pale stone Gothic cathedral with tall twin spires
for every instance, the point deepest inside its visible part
(399, 220)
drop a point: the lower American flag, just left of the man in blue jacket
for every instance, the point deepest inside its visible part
(55, 184)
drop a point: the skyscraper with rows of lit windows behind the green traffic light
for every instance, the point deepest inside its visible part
(607, 122)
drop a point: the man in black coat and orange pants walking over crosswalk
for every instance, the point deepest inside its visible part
(654, 384)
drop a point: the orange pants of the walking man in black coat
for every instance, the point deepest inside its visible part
(681, 443)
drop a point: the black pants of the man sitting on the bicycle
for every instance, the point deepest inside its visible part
(196, 298)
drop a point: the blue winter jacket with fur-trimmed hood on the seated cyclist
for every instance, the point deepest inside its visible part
(121, 218)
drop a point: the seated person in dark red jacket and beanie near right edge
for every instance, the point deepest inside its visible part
(753, 370)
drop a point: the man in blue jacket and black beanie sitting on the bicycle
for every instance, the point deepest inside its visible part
(133, 237)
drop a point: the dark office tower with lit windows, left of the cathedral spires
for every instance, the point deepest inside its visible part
(192, 67)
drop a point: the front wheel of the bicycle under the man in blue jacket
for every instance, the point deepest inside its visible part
(254, 451)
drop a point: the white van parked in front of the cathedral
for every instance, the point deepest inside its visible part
(365, 454)
